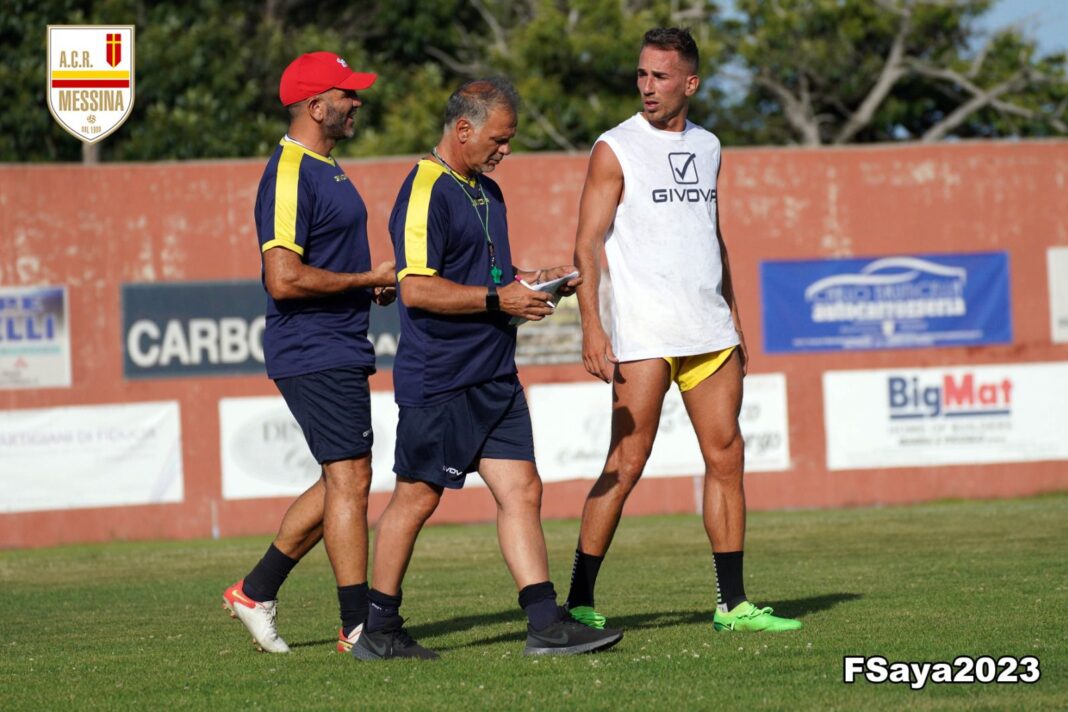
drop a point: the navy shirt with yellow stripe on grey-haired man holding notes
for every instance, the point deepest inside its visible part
(436, 231)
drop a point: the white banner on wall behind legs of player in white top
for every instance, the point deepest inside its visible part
(573, 424)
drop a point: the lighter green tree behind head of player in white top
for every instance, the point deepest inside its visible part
(573, 61)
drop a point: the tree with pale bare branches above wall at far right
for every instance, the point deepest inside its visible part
(835, 72)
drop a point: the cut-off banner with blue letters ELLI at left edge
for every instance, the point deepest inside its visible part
(35, 338)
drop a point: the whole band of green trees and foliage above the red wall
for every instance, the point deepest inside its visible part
(208, 71)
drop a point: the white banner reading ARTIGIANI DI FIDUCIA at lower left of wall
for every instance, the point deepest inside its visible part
(90, 456)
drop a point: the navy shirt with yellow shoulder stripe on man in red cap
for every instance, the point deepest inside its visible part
(307, 204)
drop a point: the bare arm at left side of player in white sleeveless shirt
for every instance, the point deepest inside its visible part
(601, 197)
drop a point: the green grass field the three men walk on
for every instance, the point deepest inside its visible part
(140, 626)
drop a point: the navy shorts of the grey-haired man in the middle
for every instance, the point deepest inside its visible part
(442, 444)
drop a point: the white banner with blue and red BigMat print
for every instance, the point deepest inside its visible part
(908, 418)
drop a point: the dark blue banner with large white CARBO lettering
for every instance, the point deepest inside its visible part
(213, 328)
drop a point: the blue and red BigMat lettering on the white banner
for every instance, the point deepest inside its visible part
(949, 397)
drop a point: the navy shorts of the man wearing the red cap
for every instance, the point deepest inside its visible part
(334, 410)
